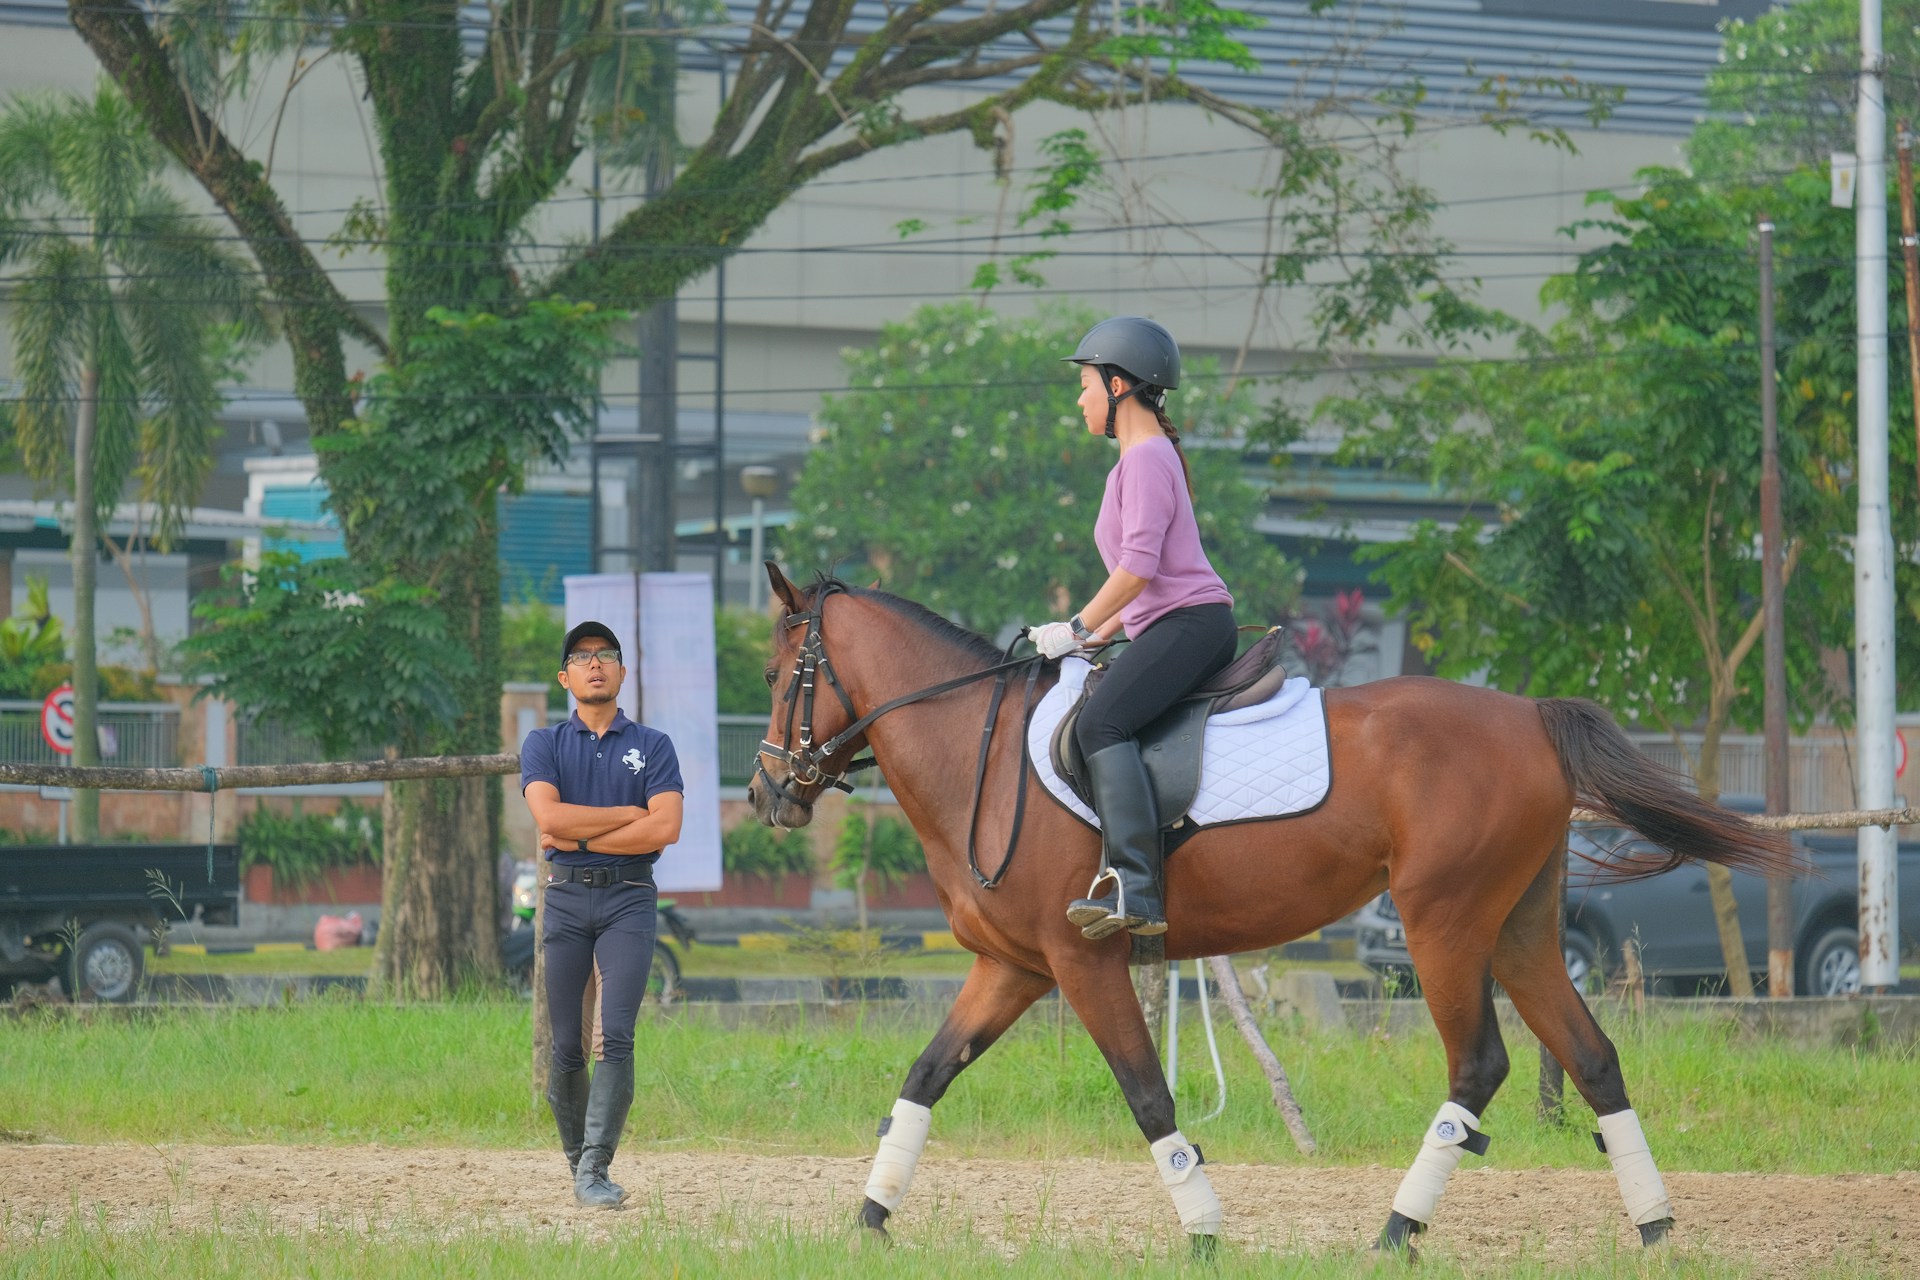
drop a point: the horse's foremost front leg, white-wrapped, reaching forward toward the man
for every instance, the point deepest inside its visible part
(992, 1001)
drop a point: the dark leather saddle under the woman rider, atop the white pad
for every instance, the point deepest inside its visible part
(1170, 746)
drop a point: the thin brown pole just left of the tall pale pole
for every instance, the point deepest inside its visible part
(1775, 634)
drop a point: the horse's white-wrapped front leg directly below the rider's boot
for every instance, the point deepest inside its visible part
(1101, 991)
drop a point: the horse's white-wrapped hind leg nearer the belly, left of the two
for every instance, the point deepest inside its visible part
(1460, 993)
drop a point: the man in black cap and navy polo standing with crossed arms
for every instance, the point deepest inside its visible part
(608, 799)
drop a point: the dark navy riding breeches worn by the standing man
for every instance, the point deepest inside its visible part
(613, 926)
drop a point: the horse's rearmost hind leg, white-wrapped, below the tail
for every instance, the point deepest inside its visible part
(1529, 964)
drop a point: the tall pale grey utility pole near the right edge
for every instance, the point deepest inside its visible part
(1873, 548)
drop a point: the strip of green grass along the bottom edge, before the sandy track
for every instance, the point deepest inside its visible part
(652, 1244)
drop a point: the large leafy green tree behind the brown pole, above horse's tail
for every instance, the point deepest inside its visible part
(1623, 450)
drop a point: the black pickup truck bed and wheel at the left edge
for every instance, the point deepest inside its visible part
(84, 913)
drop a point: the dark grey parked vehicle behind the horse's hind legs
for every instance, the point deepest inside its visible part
(1671, 920)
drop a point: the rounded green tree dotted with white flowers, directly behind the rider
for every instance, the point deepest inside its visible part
(961, 471)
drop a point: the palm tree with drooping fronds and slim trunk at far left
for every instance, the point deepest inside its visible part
(128, 316)
